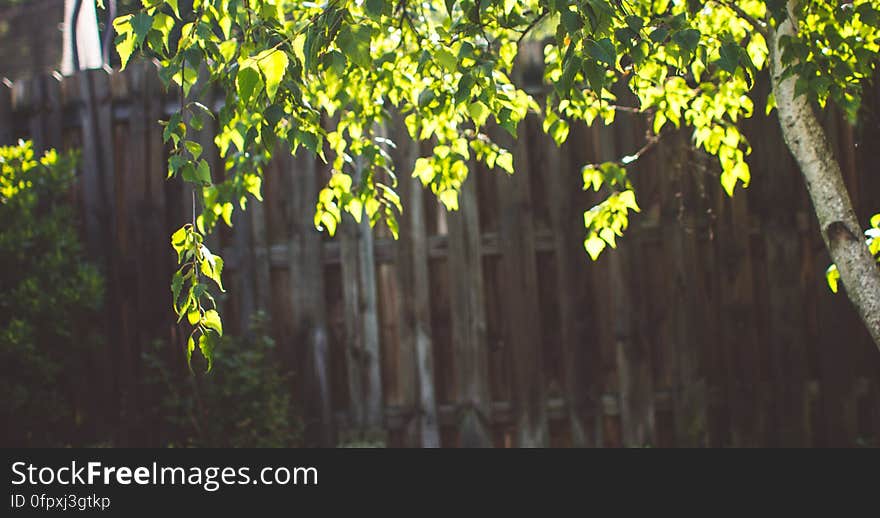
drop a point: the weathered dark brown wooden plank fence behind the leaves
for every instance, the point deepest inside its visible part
(711, 325)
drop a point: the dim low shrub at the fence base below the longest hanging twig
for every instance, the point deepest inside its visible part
(245, 403)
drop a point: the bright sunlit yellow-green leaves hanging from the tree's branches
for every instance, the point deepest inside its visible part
(287, 67)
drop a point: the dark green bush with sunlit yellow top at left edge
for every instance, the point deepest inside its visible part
(50, 299)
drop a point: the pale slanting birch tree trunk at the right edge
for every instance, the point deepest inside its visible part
(837, 219)
